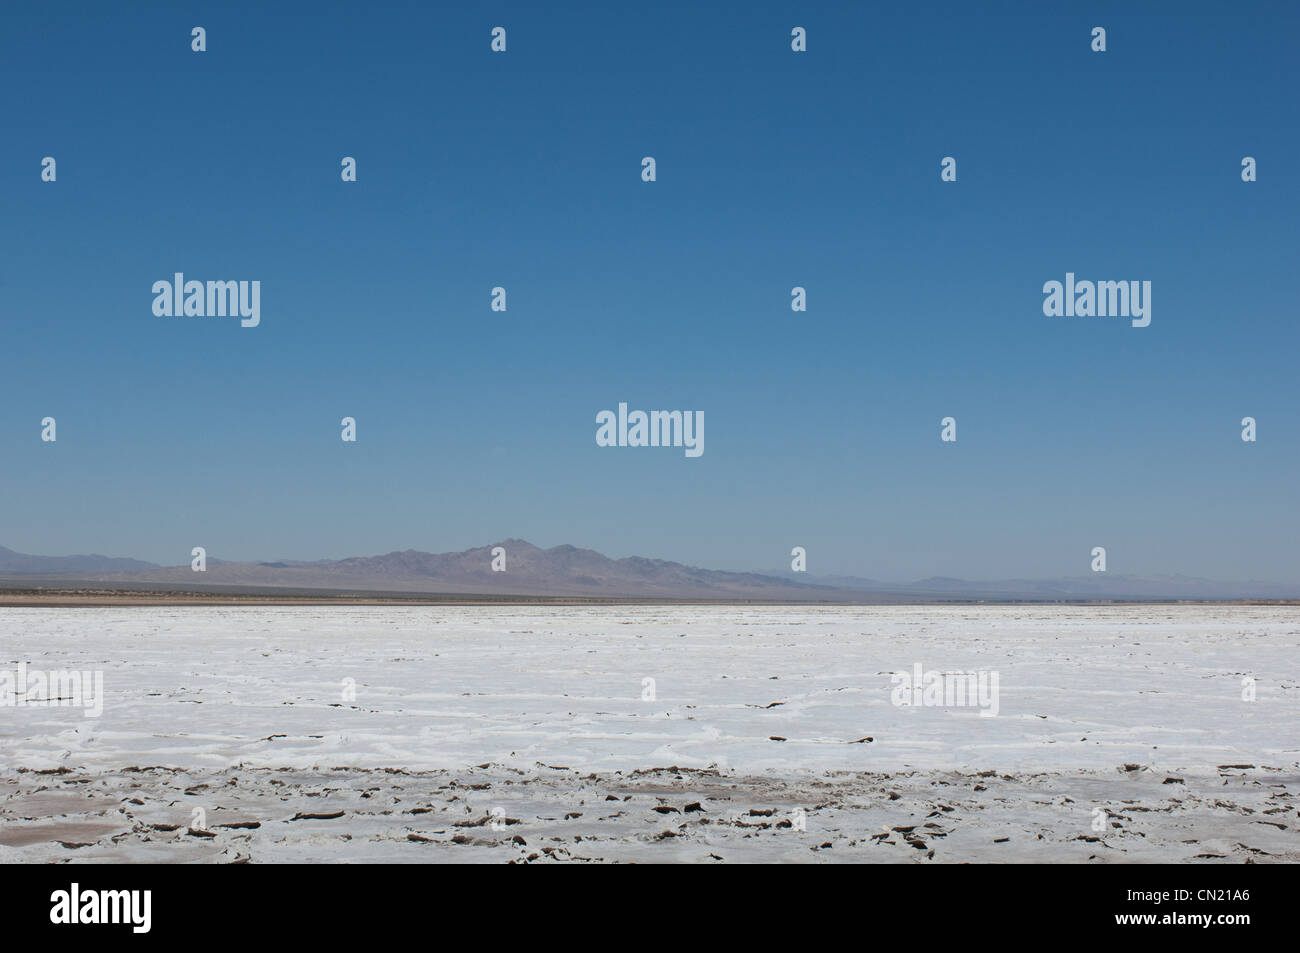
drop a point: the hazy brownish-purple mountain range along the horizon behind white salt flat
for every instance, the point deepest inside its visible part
(567, 571)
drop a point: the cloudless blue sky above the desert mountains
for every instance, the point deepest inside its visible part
(774, 170)
